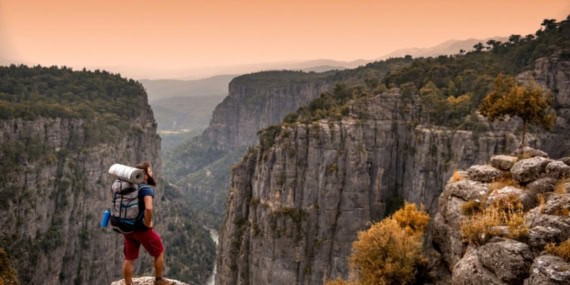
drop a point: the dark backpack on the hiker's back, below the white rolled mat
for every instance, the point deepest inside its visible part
(125, 213)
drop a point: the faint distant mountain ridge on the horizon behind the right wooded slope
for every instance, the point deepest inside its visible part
(445, 48)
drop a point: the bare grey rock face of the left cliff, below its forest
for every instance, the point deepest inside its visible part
(53, 198)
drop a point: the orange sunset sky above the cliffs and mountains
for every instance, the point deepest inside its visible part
(157, 38)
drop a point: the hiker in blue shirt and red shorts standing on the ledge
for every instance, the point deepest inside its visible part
(144, 233)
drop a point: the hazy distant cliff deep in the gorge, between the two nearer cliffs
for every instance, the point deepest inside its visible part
(255, 101)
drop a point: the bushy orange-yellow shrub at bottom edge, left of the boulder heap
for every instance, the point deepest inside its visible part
(390, 252)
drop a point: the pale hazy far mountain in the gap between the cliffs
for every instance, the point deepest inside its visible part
(167, 88)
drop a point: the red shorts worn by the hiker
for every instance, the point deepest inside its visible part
(150, 241)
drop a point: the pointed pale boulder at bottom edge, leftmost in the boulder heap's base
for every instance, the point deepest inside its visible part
(470, 271)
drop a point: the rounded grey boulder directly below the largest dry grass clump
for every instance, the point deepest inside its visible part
(510, 260)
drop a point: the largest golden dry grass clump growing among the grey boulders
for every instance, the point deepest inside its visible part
(481, 226)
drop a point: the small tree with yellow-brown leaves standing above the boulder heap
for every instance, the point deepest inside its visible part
(529, 102)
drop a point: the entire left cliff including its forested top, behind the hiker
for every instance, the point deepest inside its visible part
(55, 185)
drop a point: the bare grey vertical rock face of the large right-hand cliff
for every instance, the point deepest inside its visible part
(296, 203)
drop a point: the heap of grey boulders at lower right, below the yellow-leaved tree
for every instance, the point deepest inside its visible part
(500, 259)
